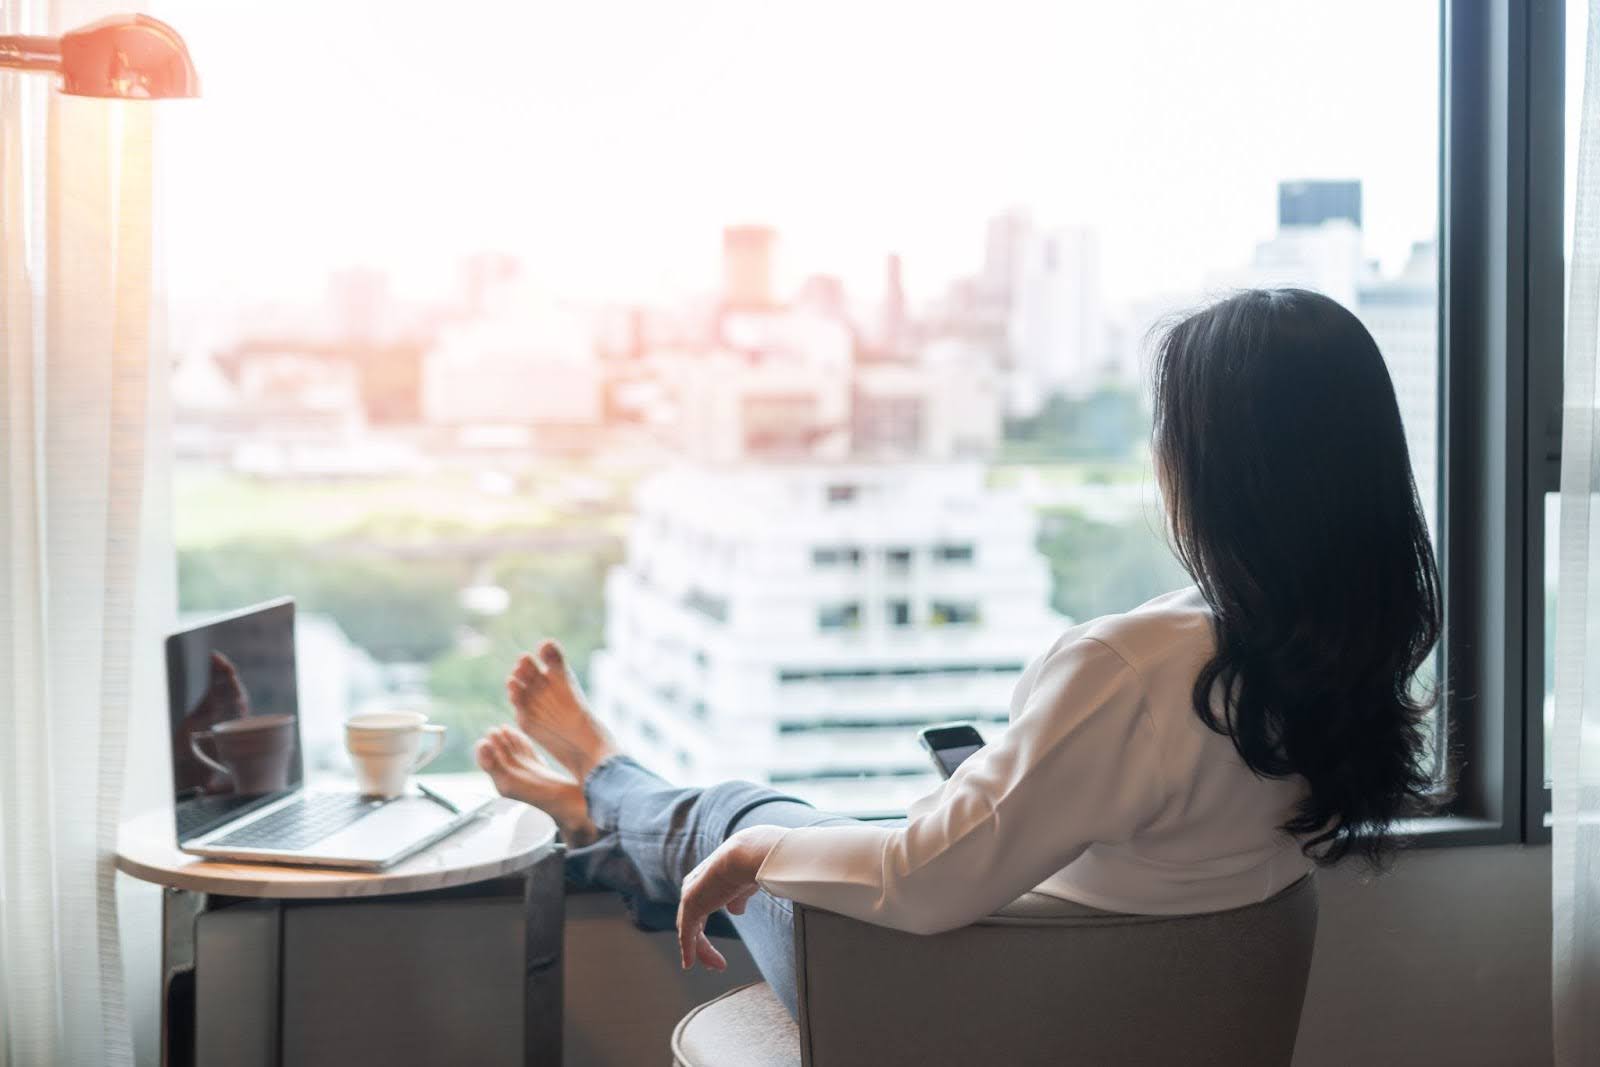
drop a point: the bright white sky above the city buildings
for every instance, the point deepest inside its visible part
(609, 142)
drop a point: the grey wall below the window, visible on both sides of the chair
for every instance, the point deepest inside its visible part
(1446, 961)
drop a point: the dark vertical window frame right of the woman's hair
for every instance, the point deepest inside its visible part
(1502, 274)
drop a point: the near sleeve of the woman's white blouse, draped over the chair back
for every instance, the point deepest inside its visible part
(1079, 767)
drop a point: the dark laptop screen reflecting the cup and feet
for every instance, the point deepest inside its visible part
(234, 716)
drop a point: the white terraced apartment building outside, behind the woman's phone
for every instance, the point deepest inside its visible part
(798, 623)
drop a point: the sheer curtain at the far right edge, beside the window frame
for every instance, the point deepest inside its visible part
(1577, 735)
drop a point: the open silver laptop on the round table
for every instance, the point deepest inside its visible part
(238, 761)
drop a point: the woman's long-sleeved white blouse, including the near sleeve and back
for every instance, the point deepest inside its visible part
(1106, 789)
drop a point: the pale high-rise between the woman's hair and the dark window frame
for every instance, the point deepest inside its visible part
(1402, 314)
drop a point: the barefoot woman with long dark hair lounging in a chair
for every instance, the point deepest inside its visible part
(1199, 753)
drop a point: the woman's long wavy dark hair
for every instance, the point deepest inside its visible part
(1290, 502)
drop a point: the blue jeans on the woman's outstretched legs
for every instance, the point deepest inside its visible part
(654, 834)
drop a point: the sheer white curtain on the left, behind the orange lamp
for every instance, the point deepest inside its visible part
(76, 316)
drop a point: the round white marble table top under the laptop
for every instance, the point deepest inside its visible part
(503, 839)
